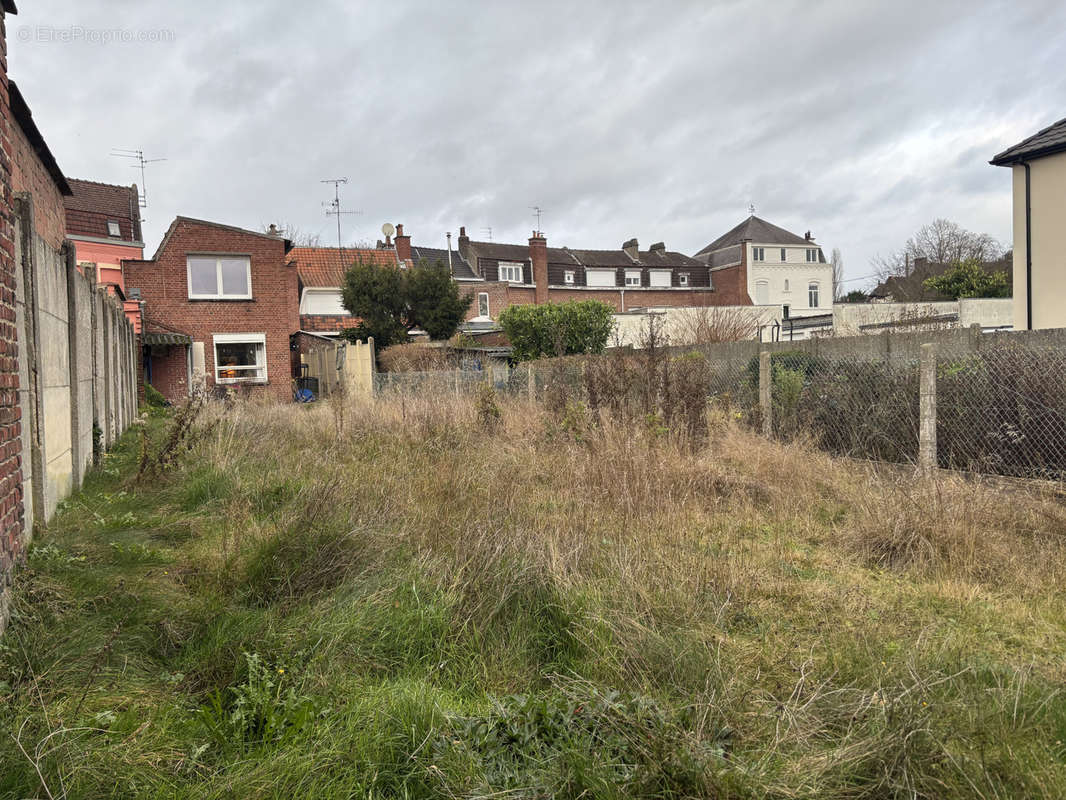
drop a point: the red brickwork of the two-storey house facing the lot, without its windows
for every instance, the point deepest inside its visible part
(273, 310)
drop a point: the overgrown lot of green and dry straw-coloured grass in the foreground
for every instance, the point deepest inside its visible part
(423, 599)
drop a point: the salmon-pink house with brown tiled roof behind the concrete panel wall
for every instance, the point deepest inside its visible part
(104, 222)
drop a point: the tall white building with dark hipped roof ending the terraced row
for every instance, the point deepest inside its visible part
(784, 269)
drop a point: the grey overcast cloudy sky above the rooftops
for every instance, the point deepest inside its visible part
(858, 121)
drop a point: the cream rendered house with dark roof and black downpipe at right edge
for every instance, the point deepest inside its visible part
(1039, 166)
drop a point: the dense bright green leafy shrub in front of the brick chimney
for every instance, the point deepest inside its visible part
(558, 329)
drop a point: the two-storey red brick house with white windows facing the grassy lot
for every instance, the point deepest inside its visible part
(219, 305)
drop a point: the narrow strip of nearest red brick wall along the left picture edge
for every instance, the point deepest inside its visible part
(12, 515)
